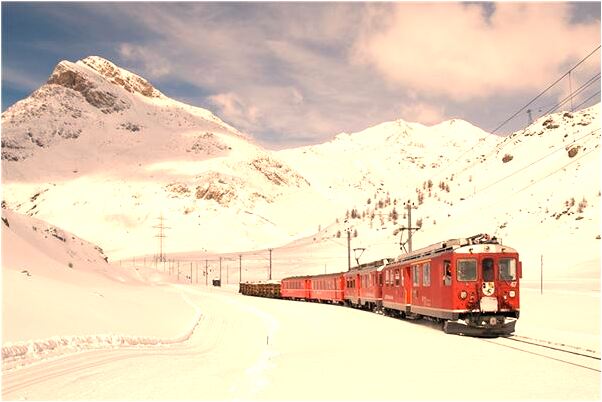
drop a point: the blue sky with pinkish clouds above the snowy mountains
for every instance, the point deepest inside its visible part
(292, 74)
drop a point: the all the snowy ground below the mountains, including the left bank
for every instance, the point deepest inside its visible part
(134, 331)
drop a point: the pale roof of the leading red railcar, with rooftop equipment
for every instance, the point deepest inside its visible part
(478, 243)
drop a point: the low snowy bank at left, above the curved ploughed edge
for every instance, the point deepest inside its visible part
(55, 284)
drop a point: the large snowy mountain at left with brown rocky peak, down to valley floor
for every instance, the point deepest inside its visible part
(102, 153)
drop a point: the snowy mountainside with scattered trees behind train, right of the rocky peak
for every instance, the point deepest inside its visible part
(537, 189)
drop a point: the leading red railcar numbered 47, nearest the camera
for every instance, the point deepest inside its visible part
(471, 284)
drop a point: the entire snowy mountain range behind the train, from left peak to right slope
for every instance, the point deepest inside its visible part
(101, 152)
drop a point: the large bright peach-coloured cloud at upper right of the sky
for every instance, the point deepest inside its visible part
(462, 52)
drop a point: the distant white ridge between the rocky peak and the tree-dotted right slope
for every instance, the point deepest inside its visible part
(390, 157)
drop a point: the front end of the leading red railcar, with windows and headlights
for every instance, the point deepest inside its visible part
(486, 294)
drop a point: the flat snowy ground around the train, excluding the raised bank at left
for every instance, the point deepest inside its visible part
(264, 349)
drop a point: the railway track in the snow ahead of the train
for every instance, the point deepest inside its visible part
(580, 357)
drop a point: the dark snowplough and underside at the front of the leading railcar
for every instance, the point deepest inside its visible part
(482, 326)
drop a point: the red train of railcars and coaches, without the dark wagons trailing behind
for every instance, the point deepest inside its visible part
(471, 285)
